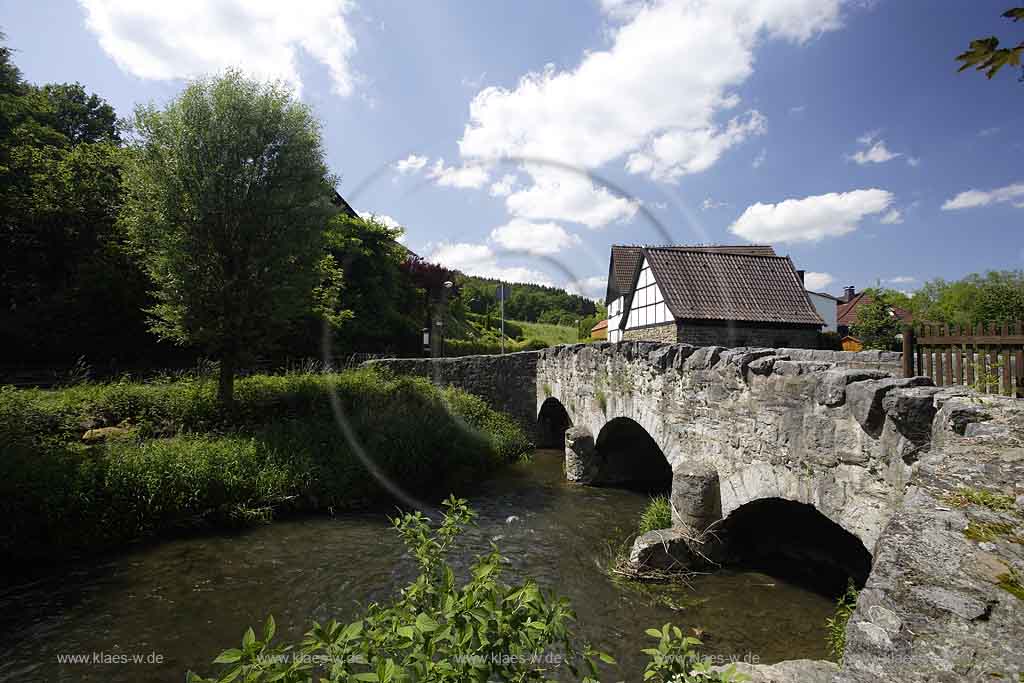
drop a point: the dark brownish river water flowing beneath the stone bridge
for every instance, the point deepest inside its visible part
(175, 606)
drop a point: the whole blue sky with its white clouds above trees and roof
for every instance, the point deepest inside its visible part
(840, 133)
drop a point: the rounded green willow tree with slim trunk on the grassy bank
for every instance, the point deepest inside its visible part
(227, 198)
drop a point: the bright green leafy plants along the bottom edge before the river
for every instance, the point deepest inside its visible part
(436, 631)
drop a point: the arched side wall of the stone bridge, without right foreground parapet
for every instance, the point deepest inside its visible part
(830, 430)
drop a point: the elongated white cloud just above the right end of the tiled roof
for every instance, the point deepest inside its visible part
(812, 219)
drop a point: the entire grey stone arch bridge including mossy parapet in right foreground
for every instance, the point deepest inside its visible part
(887, 459)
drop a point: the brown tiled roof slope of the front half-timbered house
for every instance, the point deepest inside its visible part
(731, 285)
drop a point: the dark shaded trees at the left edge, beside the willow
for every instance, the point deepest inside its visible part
(66, 287)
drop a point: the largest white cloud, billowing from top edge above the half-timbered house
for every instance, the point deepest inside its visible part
(655, 98)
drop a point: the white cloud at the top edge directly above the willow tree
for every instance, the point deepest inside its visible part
(189, 38)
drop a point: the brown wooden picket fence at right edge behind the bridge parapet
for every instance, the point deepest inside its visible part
(989, 358)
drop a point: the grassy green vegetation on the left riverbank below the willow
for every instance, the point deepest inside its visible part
(94, 466)
